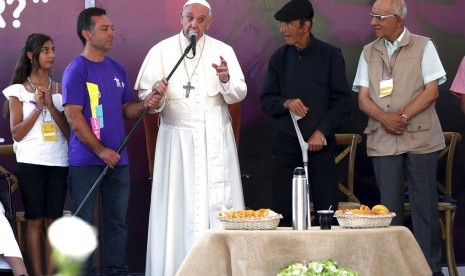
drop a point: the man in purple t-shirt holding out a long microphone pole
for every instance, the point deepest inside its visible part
(97, 98)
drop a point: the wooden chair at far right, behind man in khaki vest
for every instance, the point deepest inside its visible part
(446, 205)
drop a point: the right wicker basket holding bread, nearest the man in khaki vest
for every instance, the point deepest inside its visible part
(364, 221)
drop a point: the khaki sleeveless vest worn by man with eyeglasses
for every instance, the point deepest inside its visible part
(424, 133)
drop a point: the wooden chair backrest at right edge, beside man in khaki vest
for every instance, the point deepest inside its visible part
(451, 139)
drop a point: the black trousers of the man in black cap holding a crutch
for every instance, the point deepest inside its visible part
(322, 178)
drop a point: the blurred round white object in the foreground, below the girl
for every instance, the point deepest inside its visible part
(73, 237)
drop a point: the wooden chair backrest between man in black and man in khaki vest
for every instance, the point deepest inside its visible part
(348, 143)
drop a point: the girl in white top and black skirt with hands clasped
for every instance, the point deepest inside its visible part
(40, 132)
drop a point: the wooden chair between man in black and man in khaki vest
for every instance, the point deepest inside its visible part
(345, 160)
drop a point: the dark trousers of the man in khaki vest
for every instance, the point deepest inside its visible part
(421, 178)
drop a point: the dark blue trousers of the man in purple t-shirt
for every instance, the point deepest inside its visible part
(114, 196)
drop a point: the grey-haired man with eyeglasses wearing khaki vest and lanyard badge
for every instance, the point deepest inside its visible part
(397, 83)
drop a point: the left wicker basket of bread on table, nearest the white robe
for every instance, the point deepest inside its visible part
(265, 223)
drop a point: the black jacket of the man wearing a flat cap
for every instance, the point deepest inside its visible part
(317, 76)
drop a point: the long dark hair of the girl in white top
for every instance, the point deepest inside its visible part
(25, 66)
